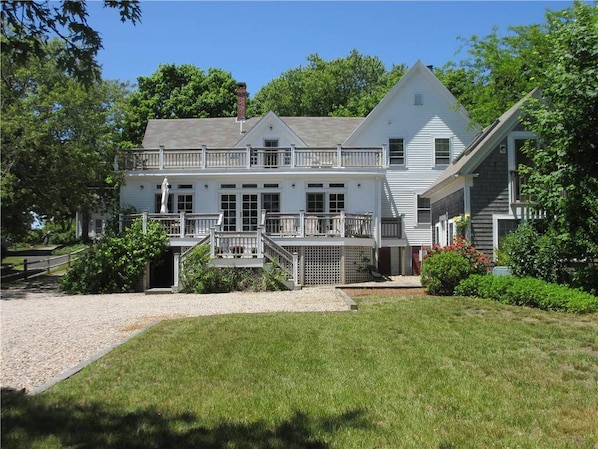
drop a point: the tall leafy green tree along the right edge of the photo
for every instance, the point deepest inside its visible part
(563, 178)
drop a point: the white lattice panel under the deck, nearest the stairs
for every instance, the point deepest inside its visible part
(322, 265)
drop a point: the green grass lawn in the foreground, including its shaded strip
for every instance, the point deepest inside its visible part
(421, 372)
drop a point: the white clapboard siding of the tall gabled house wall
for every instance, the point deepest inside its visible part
(418, 125)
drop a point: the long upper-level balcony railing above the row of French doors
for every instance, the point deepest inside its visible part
(251, 158)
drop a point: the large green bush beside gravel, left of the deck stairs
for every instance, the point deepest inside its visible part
(114, 264)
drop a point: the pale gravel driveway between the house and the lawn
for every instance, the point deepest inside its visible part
(45, 333)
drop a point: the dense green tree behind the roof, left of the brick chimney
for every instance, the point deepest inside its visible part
(183, 91)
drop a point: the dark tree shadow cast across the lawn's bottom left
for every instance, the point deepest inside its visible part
(28, 419)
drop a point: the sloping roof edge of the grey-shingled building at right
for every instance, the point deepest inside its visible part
(481, 146)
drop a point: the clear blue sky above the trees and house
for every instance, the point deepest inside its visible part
(257, 41)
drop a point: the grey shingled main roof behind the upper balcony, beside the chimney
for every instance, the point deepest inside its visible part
(228, 132)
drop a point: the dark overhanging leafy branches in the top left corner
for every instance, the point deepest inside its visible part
(27, 27)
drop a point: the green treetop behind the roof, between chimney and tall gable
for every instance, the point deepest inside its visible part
(350, 86)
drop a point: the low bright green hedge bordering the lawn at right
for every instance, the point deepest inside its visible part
(528, 292)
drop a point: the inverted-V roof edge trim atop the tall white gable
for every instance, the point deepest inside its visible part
(418, 70)
